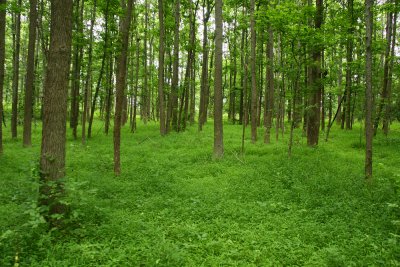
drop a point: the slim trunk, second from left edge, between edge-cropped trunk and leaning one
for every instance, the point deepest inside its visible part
(15, 88)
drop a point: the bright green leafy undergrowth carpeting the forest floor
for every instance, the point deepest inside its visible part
(174, 205)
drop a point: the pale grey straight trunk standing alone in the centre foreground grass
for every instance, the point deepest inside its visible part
(218, 124)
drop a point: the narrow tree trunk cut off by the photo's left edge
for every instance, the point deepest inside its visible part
(2, 61)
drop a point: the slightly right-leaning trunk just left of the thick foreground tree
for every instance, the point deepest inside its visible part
(30, 74)
